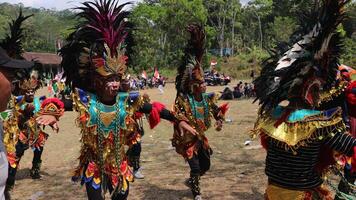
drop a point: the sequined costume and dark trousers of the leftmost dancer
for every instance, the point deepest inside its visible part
(22, 132)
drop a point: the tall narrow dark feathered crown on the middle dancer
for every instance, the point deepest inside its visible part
(191, 71)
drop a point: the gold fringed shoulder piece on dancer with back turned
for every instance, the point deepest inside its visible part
(300, 128)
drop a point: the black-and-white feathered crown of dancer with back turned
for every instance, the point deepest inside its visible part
(311, 61)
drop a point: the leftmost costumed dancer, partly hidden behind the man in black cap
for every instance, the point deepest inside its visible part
(23, 129)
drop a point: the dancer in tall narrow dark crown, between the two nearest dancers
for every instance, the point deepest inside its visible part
(197, 107)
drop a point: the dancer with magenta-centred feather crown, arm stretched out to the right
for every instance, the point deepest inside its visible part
(94, 64)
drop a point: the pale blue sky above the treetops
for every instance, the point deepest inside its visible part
(61, 4)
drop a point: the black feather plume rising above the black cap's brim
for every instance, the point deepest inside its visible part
(13, 41)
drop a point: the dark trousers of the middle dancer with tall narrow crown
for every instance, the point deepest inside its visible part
(200, 163)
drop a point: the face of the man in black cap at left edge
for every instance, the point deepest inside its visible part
(6, 77)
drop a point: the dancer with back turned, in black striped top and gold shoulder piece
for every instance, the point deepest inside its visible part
(299, 137)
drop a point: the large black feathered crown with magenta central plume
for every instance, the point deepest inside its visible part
(95, 45)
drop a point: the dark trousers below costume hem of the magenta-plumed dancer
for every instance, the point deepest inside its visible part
(94, 194)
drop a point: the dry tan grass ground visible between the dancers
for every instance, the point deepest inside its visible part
(236, 172)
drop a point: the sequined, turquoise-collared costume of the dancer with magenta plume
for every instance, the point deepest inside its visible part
(106, 130)
